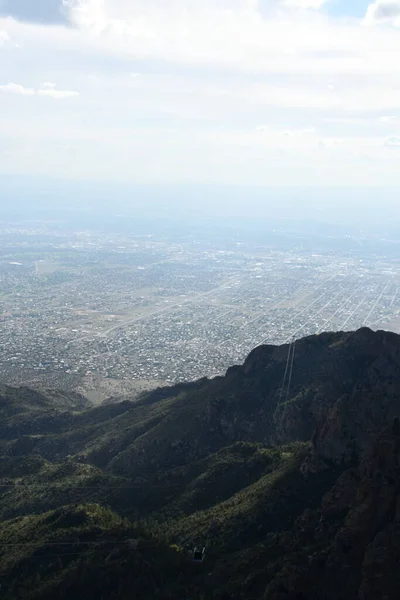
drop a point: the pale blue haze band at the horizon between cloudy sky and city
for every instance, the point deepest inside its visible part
(354, 207)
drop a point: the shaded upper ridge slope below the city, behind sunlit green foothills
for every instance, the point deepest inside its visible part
(355, 375)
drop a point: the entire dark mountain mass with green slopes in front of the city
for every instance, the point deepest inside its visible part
(286, 470)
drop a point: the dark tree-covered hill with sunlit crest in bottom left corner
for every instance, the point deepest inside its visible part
(85, 551)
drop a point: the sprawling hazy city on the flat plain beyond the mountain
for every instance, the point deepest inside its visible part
(119, 312)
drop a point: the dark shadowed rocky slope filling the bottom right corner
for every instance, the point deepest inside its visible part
(349, 549)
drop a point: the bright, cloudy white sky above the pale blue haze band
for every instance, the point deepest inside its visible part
(228, 92)
